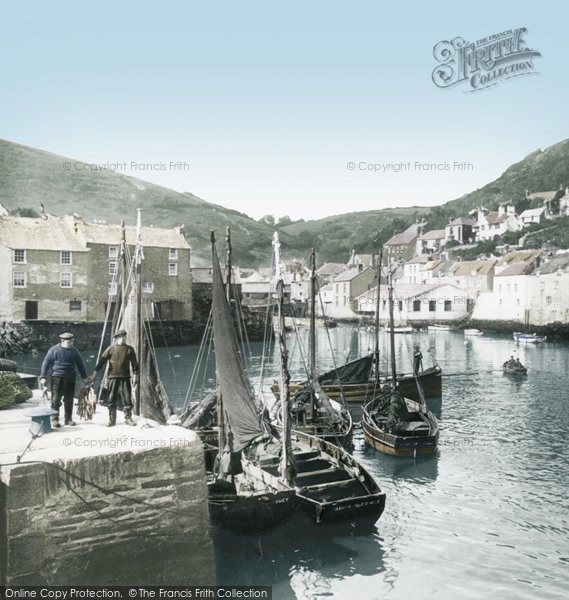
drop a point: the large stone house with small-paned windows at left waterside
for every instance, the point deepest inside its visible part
(63, 269)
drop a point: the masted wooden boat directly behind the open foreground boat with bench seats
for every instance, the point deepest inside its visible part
(312, 411)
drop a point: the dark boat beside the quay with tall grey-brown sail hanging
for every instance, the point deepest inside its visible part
(241, 499)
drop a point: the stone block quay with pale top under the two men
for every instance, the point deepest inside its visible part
(97, 505)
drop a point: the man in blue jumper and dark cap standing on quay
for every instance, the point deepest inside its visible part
(63, 359)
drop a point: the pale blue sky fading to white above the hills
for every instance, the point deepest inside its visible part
(291, 109)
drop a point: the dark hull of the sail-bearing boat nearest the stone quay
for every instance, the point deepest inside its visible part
(253, 514)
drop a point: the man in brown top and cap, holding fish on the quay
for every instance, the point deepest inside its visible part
(121, 358)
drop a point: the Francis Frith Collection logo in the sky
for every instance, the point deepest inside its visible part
(484, 63)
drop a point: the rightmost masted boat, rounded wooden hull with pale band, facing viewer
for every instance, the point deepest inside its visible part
(397, 425)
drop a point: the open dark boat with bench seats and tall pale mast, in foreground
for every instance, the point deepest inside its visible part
(330, 484)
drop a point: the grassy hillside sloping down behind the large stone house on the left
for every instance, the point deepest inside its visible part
(29, 177)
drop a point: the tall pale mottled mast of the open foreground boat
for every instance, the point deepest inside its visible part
(286, 469)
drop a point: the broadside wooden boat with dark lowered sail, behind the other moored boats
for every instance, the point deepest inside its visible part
(356, 382)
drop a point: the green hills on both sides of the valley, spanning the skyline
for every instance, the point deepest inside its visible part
(29, 176)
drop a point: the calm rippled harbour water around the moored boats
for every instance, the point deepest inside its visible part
(487, 516)
